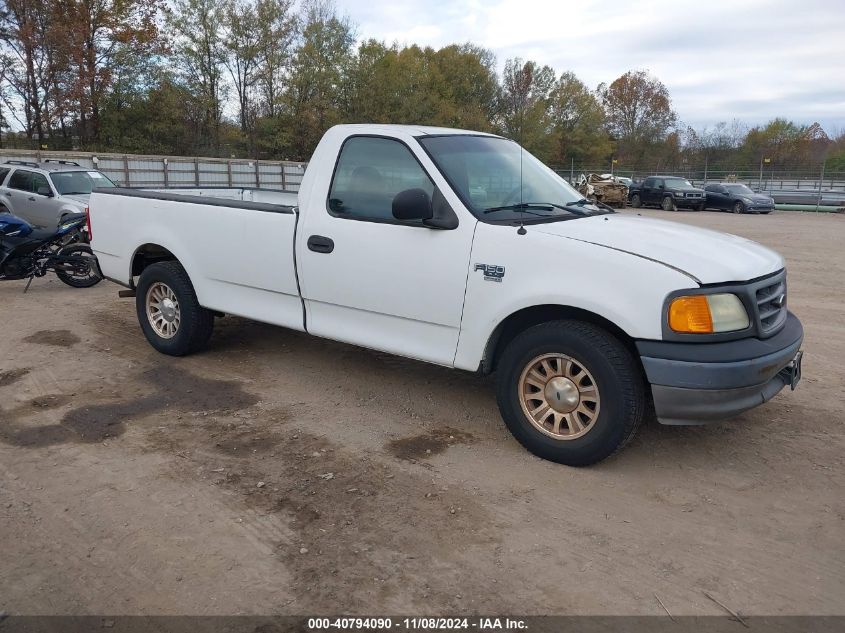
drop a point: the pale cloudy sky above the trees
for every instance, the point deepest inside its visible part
(721, 60)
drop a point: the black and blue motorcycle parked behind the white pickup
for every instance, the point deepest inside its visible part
(26, 252)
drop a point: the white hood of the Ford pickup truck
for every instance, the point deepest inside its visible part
(707, 256)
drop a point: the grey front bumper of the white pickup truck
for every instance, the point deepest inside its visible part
(695, 383)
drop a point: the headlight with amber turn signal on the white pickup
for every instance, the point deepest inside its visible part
(707, 314)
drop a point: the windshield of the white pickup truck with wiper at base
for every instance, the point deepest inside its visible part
(500, 182)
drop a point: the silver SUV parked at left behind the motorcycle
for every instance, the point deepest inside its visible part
(46, 193)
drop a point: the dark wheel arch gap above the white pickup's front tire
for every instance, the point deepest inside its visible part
(530, 316)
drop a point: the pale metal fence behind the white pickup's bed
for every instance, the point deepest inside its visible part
(134, 170)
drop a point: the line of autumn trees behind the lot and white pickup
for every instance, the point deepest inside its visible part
(266, 78)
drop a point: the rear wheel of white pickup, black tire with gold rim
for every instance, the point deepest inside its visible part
(168, 310)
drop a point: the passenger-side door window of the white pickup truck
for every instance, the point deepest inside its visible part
(369, 174)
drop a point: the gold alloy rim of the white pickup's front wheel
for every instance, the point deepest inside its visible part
(559, 396)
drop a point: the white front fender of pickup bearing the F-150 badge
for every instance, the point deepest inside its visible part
(544, 269)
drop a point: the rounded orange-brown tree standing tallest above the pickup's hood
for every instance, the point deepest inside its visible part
(639, 112)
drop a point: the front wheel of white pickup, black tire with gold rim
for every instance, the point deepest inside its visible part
(570, 392)
